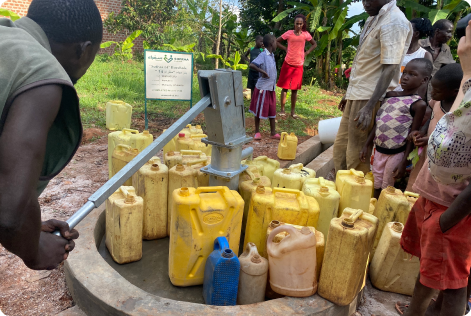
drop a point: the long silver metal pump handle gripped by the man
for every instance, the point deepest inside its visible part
(119, 178)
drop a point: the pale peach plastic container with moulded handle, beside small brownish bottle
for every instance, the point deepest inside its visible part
(292, 262)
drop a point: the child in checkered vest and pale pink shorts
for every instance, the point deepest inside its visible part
(401, 113)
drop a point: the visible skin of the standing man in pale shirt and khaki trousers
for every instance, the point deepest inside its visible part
(364, 116)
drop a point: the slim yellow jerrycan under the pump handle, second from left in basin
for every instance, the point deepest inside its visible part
(151, 183)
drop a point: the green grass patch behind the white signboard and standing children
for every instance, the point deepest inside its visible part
(116, 80)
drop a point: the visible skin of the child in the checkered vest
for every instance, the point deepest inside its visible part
(411, 80)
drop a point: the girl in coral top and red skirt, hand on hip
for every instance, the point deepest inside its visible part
(291, 75)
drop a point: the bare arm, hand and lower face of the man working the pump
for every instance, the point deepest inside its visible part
(24, 135)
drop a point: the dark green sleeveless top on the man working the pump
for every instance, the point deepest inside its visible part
(26, 62)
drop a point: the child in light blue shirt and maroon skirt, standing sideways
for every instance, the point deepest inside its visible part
(263, 103)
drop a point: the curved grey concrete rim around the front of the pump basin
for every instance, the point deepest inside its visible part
(99, 289)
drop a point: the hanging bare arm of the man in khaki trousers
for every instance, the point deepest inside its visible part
(363, 117)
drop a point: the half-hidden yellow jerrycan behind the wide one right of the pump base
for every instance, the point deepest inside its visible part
(292, 177)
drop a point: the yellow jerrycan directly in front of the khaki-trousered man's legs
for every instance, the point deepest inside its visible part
(354, 190)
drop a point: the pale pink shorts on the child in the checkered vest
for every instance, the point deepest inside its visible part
(383, 167)
